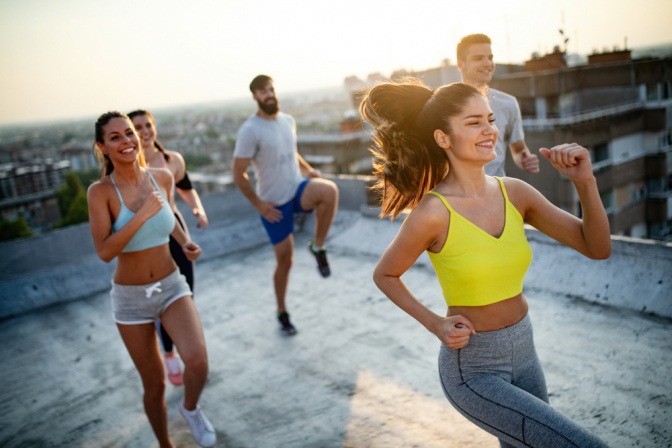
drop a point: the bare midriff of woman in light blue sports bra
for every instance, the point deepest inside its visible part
(145, 266)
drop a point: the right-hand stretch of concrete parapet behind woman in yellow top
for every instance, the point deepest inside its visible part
(637, 276)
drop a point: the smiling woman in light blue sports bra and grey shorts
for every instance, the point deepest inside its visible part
(131, 220)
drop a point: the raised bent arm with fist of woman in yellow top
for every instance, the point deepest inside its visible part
(590, 235)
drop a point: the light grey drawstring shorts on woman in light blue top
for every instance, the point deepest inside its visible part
(143, 304)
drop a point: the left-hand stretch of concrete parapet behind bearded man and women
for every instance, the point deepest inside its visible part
(62, 265)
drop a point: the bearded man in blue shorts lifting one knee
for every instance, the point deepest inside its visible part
(285, 184)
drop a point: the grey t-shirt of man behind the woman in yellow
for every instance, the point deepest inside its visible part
(510, 125)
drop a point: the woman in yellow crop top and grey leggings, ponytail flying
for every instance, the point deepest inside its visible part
(430, 150)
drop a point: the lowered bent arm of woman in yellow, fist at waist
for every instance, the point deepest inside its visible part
(418, 232)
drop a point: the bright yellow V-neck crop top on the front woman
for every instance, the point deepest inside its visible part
(474, 268)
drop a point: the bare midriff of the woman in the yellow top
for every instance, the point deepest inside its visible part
(493, 317)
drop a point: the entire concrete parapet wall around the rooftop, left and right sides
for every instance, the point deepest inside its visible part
(62, 266)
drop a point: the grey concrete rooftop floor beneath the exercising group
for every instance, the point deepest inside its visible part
(360, 372)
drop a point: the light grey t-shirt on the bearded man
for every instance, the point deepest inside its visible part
(271, 144)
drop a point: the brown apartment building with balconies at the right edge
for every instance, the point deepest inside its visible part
(621, 109)
